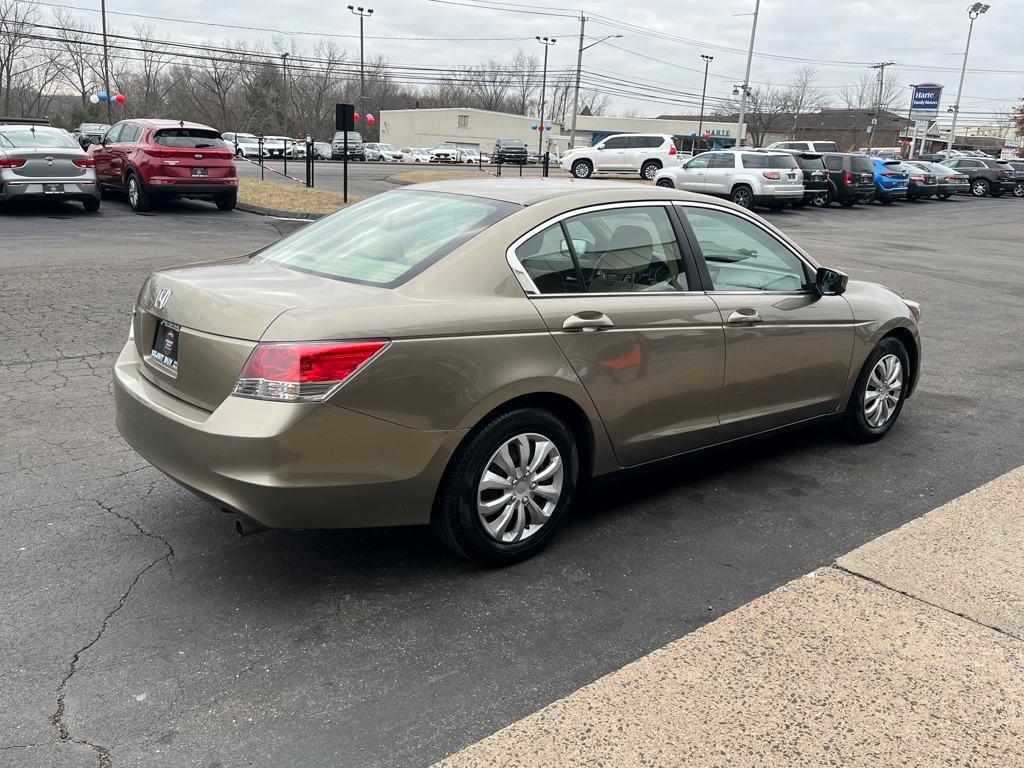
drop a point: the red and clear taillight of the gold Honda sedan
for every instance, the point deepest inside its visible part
(304, 371)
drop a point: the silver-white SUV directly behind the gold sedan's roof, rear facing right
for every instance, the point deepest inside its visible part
(748, 178)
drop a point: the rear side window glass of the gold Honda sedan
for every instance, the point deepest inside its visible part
(621, 250)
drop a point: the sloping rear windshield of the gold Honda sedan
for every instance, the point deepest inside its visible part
(388, 239)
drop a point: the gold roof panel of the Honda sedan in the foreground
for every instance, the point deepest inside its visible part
(531, 191)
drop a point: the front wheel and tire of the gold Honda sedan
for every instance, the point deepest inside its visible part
(880, 393)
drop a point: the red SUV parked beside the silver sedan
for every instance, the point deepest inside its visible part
(166, 159)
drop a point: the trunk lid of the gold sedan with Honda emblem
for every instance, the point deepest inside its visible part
(218, 314)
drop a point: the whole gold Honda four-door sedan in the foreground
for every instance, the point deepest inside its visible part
(471, 355)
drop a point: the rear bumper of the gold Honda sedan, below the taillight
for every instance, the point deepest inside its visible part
(283, 464)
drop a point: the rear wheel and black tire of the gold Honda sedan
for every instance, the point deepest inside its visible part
(507, 488)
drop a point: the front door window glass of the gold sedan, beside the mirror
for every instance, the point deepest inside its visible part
(742, 257)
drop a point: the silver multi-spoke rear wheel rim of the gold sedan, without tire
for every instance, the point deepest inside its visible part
(521, 488)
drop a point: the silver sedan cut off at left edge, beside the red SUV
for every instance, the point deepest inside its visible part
(39, 162)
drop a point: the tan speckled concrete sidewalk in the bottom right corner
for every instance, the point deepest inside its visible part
(909, 652)
